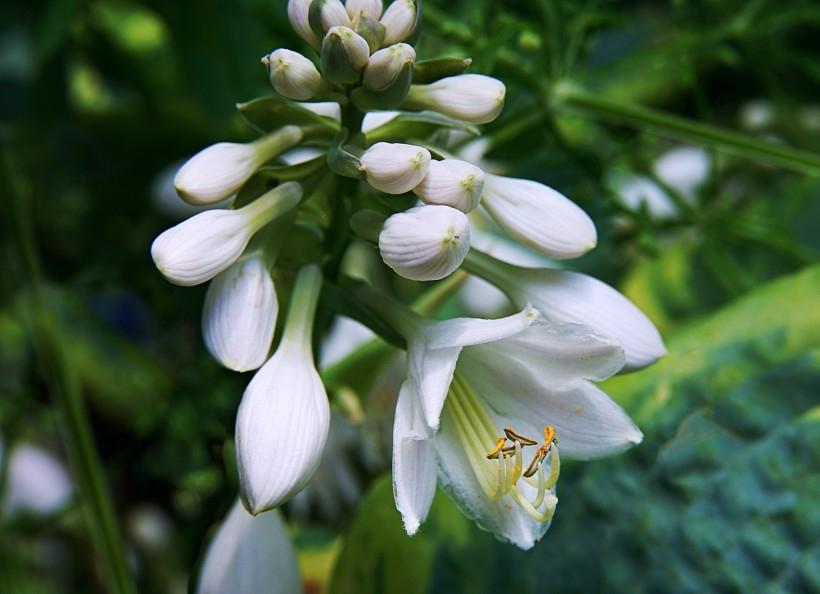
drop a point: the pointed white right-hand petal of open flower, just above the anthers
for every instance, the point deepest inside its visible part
(588, 423)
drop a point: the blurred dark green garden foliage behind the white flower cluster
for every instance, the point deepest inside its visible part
(691, 134)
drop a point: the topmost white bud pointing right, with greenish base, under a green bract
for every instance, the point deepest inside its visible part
(473, 98)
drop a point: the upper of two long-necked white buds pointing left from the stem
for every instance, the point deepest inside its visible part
(218, 171)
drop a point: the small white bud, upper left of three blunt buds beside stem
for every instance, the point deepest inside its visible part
(395, 168)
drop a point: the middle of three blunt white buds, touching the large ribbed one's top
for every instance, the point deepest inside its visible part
(453, 183)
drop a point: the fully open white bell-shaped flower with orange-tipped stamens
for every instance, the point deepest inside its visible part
(478, 398)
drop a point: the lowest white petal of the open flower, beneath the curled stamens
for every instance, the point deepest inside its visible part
(506, 520)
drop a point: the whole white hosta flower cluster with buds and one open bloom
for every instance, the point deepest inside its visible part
(487, 404)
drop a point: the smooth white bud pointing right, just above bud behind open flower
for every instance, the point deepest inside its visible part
(538, 216)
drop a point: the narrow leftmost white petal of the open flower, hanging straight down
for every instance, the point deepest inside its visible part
(414, 466)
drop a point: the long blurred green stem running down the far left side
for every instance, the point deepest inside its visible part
(51, 352)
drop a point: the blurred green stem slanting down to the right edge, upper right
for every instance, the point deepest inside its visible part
(680, 128)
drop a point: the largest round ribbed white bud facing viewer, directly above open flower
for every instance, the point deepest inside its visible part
(425, 243)
